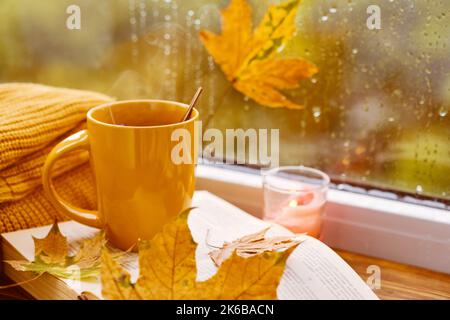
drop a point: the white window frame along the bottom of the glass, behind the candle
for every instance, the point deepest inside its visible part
(389, 229)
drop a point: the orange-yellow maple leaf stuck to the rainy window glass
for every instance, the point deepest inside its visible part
(248, 59)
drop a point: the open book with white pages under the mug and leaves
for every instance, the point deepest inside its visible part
(313, 271)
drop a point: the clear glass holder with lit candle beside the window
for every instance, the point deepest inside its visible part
(295, 197)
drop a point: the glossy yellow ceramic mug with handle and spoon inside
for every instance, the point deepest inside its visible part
(139, 187)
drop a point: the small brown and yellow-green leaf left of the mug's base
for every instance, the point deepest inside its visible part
(52, 256)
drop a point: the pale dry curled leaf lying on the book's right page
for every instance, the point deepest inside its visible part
(251, 245)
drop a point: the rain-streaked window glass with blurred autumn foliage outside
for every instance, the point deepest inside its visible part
(376, 114)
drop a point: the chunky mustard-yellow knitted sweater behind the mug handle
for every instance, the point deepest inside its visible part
(33, 118)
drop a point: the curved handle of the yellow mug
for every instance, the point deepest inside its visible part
(79, 140)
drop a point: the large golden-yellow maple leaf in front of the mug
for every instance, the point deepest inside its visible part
(168, 270)
